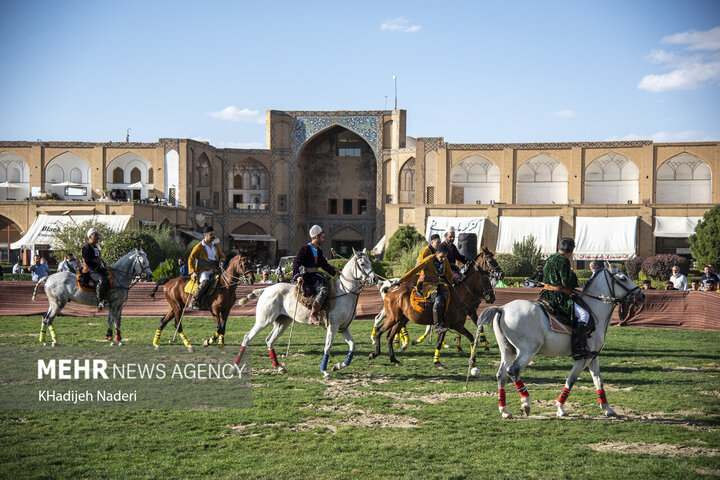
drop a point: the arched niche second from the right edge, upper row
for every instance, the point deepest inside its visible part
(611, 179)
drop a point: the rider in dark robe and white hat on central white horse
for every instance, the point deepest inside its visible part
(308, 261)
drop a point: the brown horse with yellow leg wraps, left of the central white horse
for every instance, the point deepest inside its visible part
(221, 300)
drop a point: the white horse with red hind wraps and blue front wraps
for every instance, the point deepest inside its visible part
(277, 304)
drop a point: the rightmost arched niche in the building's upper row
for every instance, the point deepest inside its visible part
(684, 178)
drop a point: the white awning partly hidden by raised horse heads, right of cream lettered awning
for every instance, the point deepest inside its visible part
(514, 229)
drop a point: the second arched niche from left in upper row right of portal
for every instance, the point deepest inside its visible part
(542, 180)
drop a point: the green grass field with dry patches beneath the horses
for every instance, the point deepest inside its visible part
(373, 420)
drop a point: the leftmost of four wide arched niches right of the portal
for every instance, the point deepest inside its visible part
(475, 179)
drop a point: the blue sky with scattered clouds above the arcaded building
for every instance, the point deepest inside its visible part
(469, 71)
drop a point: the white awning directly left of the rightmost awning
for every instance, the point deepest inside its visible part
(605, 238)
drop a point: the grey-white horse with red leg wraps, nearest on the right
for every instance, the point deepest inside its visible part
(523, 330)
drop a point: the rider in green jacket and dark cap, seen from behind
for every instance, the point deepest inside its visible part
(559, 291)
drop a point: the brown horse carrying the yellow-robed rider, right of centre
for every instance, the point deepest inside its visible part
(464, 296)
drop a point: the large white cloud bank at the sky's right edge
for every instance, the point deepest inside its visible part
(686, 72)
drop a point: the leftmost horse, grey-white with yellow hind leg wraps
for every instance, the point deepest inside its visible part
(62, 287)
